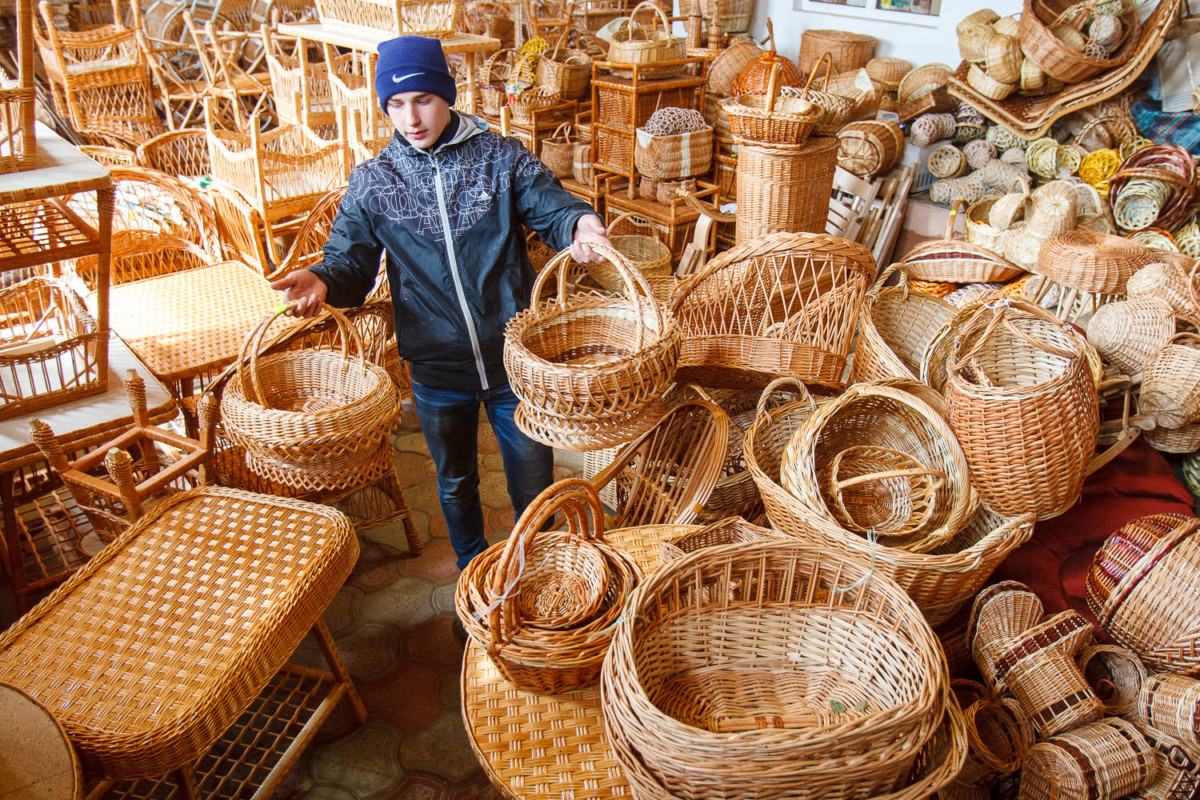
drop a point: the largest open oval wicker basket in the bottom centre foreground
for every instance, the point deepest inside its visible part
(740, 671)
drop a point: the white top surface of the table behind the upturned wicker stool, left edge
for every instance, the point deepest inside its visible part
(88, 422)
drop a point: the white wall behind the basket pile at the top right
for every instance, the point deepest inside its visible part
(910, 43)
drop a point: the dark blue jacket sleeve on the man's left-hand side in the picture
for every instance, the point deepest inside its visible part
(351, 258)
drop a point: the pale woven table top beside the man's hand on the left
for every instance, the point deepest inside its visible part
(188, 323)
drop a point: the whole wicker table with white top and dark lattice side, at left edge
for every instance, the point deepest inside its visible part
(41, 552)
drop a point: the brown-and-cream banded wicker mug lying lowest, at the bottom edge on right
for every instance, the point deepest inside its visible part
(1109, 759)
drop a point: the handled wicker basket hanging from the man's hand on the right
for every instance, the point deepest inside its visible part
(584, 359)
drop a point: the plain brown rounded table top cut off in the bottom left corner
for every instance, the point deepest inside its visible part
(39, 762)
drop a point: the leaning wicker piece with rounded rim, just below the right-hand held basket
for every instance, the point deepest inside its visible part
(667, 477)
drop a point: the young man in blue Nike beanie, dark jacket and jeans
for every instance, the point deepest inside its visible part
(447, 201)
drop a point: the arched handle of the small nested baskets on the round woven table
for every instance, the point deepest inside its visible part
(579, 503)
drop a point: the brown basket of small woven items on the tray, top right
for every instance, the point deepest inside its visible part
(1042, 45)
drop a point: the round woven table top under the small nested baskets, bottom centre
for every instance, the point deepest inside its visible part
(550, 747)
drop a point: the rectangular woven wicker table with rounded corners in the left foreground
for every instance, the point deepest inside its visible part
(208, 597)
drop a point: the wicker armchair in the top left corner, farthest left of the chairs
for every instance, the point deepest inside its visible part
(100, 81)
